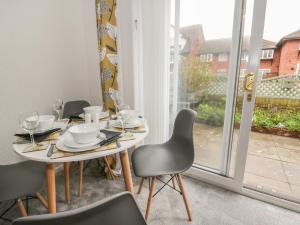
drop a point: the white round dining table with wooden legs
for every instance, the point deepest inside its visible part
(41, 156)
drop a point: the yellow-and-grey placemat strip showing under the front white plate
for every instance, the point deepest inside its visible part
(61, 154)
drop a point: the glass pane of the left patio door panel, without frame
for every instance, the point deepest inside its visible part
(203, 73)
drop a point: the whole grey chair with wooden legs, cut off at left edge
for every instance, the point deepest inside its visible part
(21, 181)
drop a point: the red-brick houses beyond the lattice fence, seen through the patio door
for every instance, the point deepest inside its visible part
(277, 59)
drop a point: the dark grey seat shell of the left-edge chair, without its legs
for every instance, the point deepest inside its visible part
(20, 179)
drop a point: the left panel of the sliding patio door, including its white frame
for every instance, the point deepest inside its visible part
(205, 42)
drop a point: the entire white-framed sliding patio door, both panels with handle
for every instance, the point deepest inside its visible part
(241, 76)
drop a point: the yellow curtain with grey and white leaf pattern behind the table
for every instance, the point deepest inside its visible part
(107, 42)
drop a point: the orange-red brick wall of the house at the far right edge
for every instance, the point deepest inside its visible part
(289, 57)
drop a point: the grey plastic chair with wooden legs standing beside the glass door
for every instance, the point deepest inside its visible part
(170, 158)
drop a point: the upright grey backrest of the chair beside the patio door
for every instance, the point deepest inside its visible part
(183, 134)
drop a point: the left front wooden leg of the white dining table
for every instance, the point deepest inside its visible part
(50, 171)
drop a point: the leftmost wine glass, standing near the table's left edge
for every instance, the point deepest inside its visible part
(29, 122)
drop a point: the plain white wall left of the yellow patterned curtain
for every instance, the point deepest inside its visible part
(48, 50)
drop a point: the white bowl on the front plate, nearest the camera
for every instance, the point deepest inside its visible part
(84, 133)
